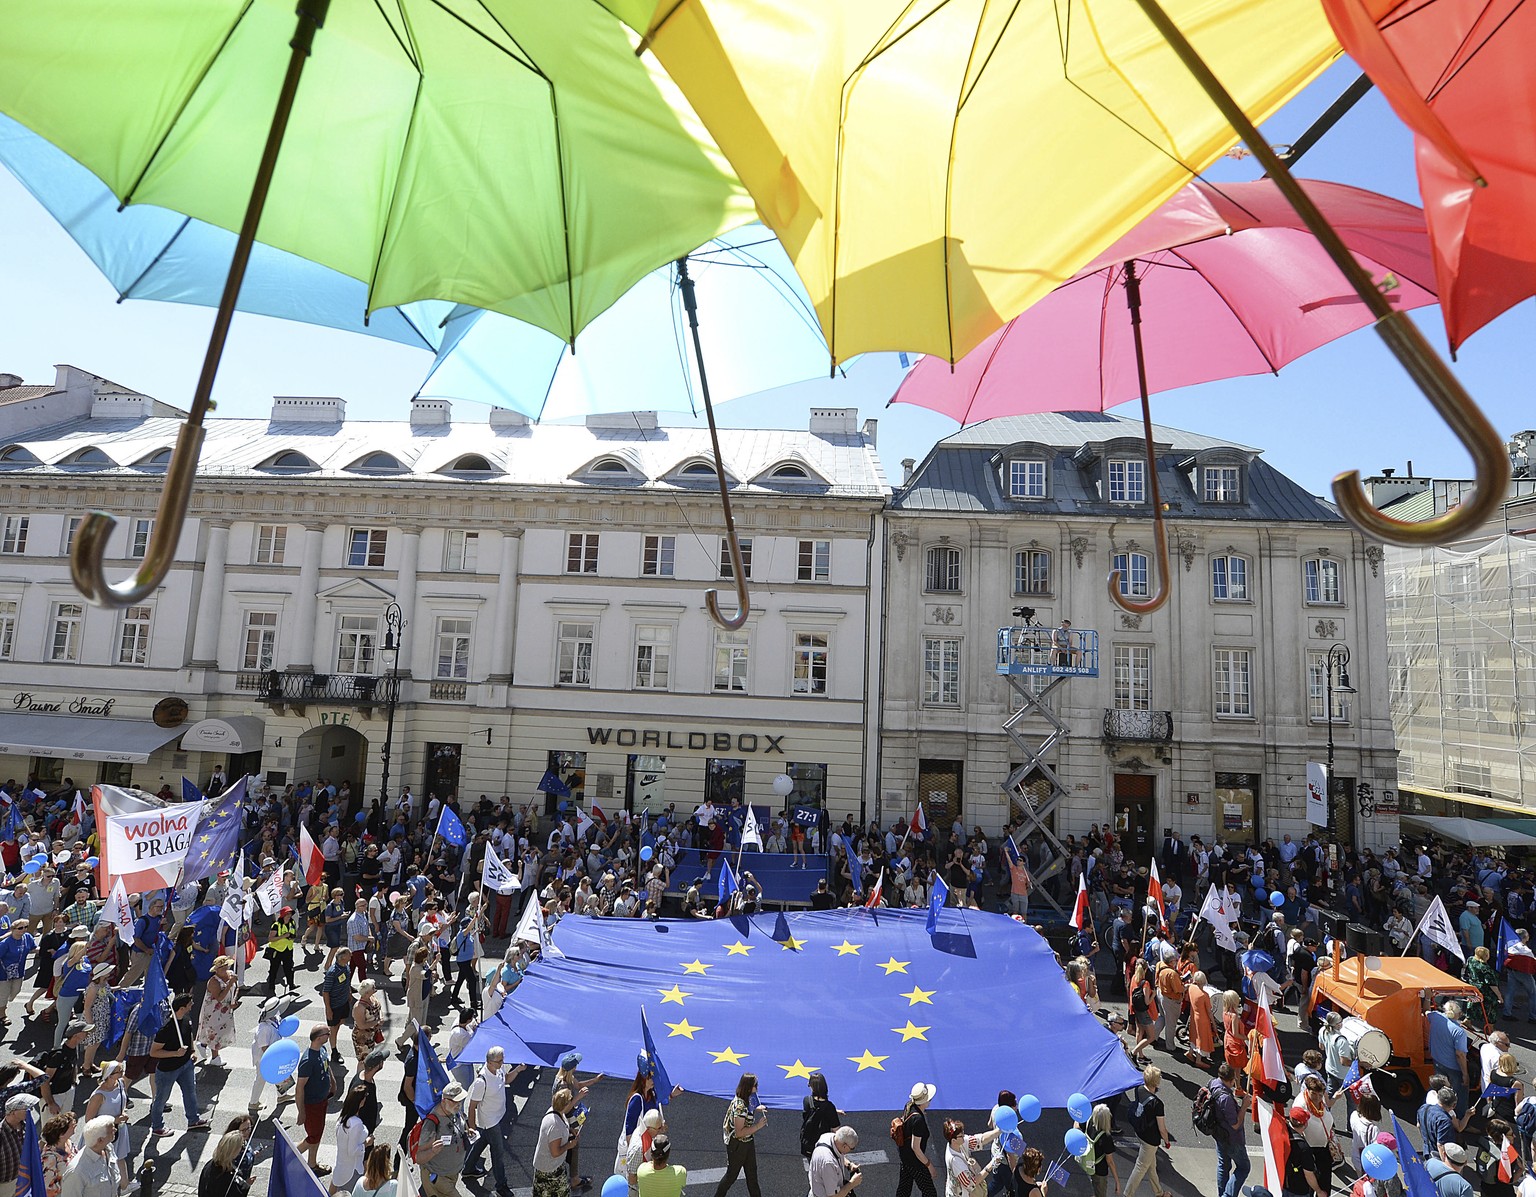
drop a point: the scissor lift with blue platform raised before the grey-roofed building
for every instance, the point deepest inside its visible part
(1036, 663)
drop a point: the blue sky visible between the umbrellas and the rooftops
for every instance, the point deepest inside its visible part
(1346, 406)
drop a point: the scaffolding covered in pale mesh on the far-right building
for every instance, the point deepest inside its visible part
(1462, 648)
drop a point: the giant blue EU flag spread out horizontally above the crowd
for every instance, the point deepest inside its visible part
(870, 998)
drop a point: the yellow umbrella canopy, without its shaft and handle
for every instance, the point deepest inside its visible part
(935, 168)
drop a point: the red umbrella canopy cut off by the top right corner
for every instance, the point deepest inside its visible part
(1458, 75)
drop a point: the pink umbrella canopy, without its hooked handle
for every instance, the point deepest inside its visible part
(1231, 285)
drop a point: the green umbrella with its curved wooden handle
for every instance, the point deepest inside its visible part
(509, 154)
